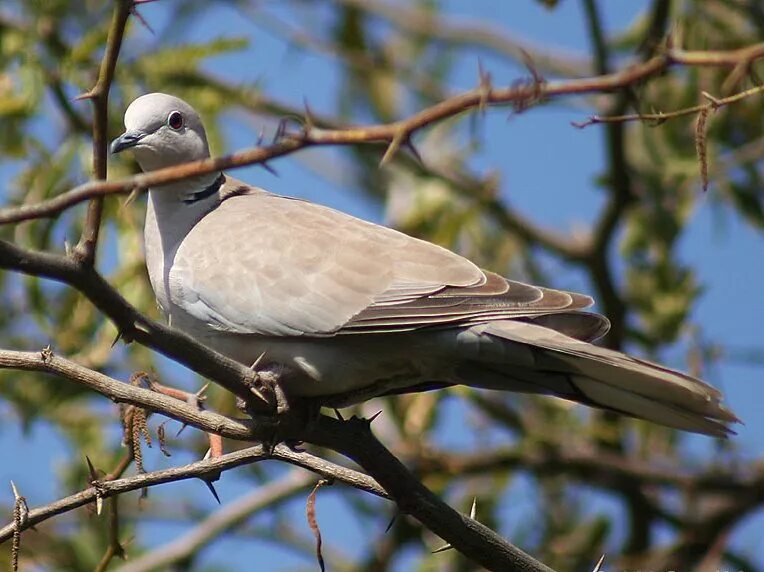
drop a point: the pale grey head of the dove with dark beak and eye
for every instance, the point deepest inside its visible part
(162, 130)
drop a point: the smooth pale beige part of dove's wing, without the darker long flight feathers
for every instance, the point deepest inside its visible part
(271, 265)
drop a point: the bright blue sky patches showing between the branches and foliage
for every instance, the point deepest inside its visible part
(548, 170)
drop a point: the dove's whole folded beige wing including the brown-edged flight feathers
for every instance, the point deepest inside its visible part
(265, 264)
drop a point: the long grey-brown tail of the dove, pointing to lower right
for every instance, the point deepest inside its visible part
(531, 358)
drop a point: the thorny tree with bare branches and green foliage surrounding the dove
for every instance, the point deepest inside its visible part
(676, 100)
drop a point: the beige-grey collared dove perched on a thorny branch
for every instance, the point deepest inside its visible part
(346, 310)
